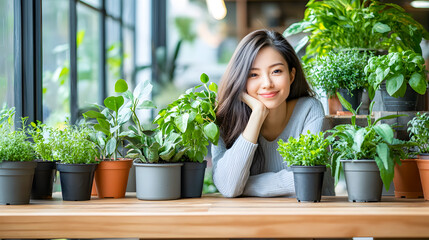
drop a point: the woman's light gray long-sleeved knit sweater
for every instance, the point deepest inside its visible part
(248, 169)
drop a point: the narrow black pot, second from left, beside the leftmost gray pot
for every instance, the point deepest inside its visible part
(43, 180)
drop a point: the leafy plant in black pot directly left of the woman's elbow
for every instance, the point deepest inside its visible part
(193, 117)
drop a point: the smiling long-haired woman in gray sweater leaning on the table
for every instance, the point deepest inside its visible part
(263, 97)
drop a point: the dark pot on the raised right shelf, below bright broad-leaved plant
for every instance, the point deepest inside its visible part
(406, 103)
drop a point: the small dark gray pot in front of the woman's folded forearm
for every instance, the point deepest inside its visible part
(308, 182)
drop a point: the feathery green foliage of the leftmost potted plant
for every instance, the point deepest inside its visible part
(14, 145)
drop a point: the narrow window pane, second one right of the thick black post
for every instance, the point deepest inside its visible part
(113, 54)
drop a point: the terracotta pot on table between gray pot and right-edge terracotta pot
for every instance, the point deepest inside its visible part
(407, 180)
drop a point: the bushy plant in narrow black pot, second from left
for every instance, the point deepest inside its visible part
(46, 167)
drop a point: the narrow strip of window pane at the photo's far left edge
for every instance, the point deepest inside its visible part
(6, 49)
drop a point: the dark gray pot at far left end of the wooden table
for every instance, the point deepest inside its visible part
(16, 179)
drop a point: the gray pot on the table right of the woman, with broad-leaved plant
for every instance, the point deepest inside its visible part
(363, 180)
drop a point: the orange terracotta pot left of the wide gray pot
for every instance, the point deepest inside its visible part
(111, 178)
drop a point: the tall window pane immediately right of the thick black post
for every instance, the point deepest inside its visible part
(88, 56)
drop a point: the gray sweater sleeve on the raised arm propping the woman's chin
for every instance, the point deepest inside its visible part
(231, 167)
